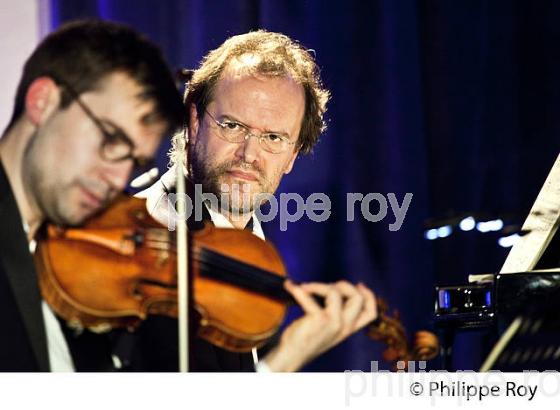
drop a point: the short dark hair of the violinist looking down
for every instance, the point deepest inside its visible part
(84, 52)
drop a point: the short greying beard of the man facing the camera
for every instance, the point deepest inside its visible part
(236, 198)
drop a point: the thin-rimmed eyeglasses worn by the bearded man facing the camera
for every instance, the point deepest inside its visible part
(237, 132)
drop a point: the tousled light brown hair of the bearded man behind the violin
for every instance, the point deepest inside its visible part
(277, 55)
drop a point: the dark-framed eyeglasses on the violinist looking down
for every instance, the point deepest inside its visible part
(116, 146)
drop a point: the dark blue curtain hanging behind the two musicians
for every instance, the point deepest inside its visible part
(456, 102)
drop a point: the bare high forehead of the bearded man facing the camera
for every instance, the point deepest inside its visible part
(265, 102)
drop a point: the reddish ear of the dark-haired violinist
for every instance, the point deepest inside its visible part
(41, 100)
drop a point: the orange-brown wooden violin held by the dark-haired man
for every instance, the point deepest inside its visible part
(120, 267)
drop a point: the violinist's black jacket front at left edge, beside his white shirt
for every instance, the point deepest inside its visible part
(20, 271)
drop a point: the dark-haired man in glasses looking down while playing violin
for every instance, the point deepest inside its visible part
(93, 103)
